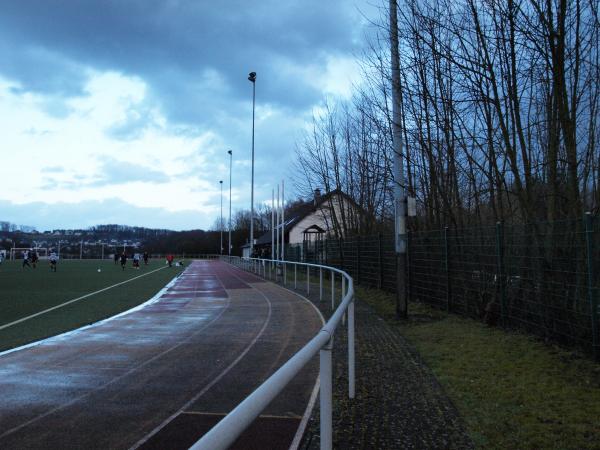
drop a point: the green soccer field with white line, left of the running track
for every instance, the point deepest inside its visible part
(24, 292)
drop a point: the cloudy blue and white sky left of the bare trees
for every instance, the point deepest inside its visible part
(122, 111)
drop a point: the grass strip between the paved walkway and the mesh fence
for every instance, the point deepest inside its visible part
(513, 391)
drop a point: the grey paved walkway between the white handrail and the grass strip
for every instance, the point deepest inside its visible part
(399, 404)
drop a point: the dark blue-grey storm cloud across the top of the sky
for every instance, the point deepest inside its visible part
(173, 45)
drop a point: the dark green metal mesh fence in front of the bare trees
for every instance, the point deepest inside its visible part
(542, 278)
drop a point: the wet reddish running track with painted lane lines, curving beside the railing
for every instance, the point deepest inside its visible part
(140, 378)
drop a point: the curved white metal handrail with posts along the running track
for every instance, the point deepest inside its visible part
(224, 434)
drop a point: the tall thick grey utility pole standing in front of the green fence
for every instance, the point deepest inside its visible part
(399, 183)
